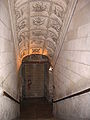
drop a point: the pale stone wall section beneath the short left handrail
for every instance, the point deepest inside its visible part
(8, 109)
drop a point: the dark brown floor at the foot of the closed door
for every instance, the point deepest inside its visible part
(36, 109)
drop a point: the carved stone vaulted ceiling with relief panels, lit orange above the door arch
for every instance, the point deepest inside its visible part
(38, 24)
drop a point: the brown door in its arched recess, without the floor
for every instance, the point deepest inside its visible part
(35, 76)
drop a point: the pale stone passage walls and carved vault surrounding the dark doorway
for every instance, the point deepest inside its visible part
(59, 29)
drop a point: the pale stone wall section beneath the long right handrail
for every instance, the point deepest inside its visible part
(76, 108)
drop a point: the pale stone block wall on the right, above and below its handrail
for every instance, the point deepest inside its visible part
(72, 67)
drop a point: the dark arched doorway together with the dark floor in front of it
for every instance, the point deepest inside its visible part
(36, 88)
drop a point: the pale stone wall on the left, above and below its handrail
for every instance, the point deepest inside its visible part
(8, 74)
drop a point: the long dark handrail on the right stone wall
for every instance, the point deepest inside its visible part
(73, 95)
